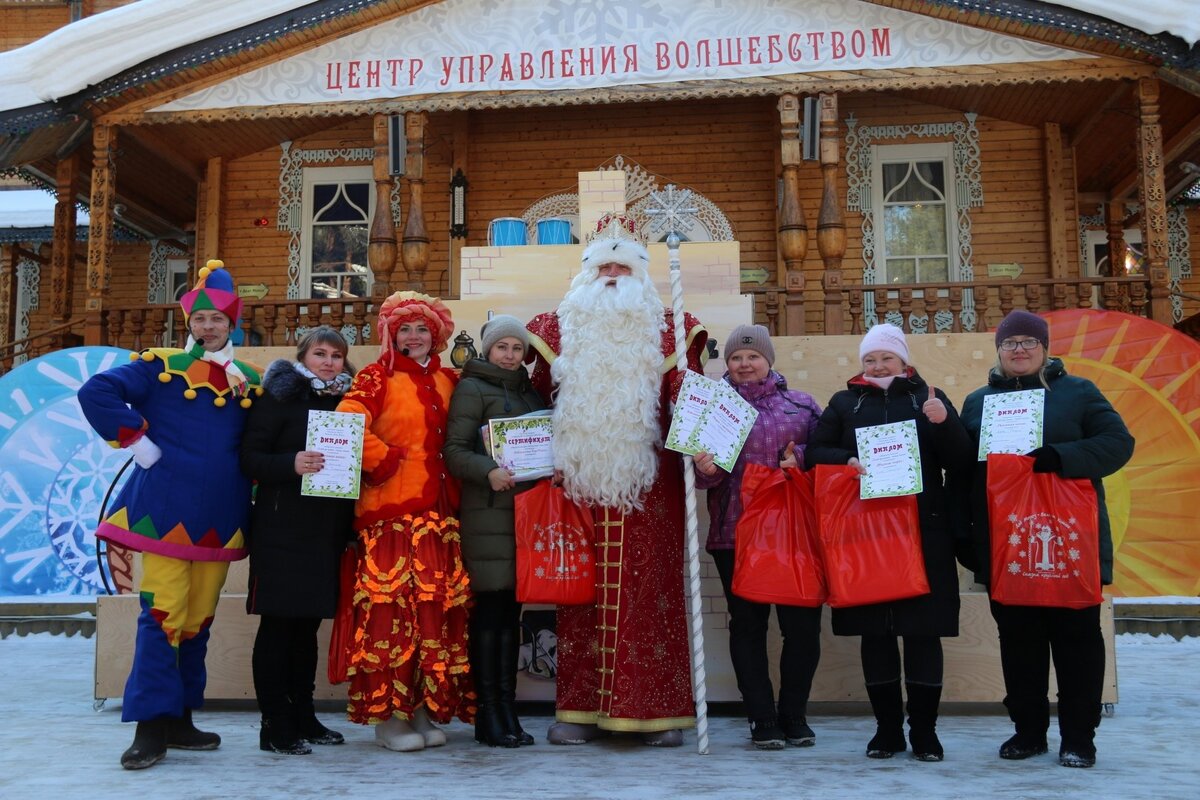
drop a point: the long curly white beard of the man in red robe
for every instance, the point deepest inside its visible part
(607, 412)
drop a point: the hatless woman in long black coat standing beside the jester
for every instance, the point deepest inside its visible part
(296, 542)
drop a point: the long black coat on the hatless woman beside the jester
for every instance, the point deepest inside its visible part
(296, 542)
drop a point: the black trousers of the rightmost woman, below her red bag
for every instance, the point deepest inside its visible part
(1029, 637)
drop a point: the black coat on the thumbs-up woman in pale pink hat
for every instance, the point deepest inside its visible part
(943, 447)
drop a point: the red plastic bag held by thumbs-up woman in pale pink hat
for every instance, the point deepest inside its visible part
(872, 549)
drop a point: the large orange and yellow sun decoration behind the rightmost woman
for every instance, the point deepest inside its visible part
(1151, 375)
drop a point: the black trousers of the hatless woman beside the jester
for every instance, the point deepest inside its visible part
(285, 664)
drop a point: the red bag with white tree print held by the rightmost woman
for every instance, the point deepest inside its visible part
(1046, 537)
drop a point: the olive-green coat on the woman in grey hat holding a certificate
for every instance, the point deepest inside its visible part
(484, 393)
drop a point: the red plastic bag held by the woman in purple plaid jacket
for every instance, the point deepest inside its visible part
(777, 560)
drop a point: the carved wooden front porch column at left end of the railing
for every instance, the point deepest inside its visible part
(100, 233)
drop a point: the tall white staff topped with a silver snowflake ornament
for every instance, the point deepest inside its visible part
(671, 210)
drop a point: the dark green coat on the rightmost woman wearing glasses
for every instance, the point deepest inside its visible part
(1081, 425)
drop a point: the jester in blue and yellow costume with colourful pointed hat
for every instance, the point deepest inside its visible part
(181, 414)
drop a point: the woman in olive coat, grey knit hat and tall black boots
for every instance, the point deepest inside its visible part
(495, 386)
